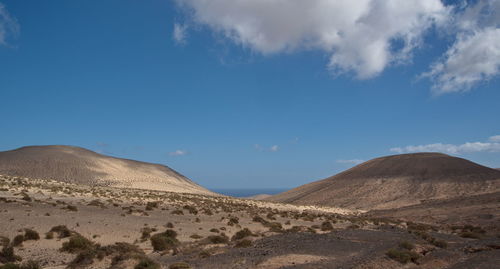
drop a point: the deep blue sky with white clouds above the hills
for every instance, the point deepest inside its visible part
(233, 108)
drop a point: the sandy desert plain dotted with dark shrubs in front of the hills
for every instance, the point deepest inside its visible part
(49, 224)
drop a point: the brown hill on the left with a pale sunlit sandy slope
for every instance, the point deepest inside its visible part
(82, 166)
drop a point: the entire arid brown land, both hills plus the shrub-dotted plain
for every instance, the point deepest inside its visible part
(403, 211)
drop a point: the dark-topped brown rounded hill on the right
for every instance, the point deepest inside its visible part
(396, 181)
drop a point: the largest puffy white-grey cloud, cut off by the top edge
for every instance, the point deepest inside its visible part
(363, 36)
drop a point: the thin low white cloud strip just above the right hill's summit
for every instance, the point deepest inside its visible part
(468, 147)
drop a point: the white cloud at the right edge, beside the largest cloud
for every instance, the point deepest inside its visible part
(475, 55)
